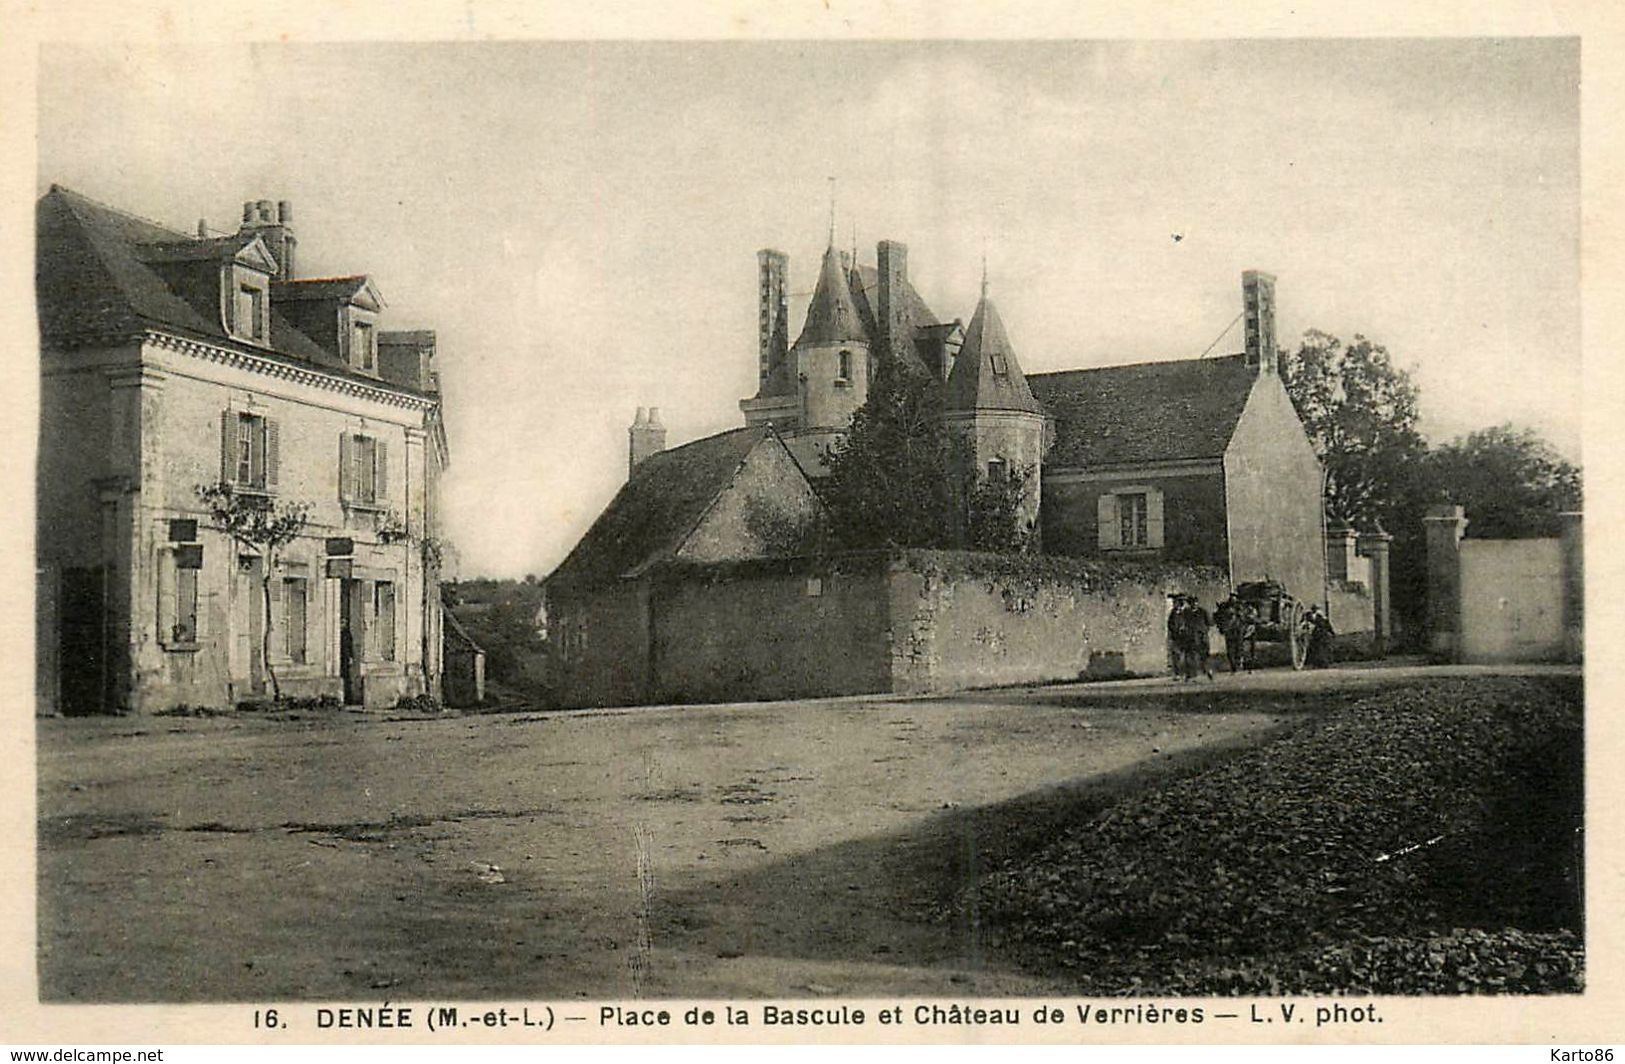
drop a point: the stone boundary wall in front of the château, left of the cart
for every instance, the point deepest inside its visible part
(909, 621)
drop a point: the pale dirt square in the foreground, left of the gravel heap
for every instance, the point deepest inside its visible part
(768, 850)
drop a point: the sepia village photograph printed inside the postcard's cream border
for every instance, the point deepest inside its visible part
(886, 537)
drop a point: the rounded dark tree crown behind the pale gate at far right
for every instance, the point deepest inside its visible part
(1510, 480)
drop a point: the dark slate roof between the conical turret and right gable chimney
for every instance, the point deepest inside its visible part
(1150, 412)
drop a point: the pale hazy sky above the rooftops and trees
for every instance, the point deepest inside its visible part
(579, 220)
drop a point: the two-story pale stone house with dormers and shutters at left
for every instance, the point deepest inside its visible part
(173, 363)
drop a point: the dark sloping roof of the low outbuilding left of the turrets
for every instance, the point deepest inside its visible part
(657, 508)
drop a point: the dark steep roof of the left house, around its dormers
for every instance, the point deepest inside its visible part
(95, 277)
